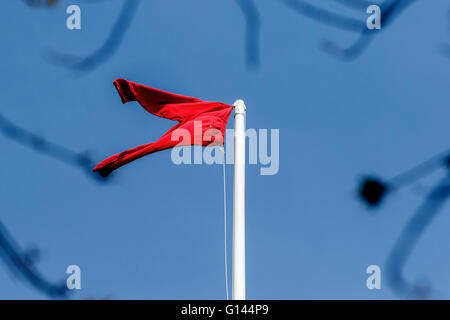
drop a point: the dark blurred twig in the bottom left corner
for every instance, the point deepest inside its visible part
(22, 265)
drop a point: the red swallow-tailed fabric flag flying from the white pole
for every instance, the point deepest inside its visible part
(195, 116)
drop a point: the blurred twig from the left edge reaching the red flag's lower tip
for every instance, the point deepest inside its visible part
(80, 160)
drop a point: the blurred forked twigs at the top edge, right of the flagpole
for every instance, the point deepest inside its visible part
(389, 10)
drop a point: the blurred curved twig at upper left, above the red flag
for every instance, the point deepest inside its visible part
(106, 51)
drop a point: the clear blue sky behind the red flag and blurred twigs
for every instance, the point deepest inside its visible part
(156, 231)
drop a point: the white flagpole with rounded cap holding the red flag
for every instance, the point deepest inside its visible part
(238, 292)
